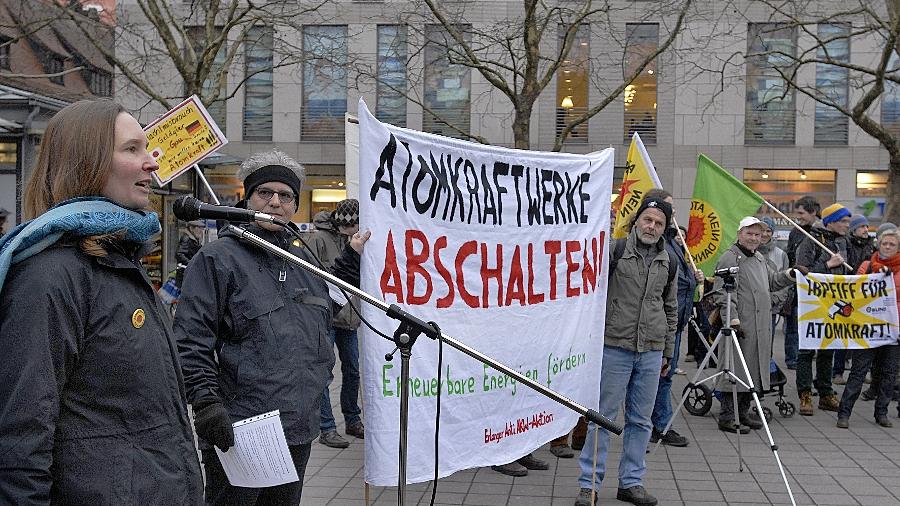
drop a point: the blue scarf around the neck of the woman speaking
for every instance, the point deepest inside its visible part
(82, 216)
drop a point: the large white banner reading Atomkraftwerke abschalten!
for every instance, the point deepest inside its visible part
(506, 250)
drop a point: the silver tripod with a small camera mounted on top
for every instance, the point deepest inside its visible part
(730, 345)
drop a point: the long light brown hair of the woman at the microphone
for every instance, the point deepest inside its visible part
(75, 156)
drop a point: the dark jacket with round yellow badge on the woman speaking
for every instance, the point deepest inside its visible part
(92, 403)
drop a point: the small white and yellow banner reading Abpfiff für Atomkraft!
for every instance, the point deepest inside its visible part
(853, 312)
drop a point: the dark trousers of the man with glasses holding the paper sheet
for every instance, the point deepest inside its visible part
(219, 492)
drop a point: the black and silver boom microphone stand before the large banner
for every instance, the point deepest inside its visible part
(409, 329)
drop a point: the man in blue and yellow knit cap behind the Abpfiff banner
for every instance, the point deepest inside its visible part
(811, 257)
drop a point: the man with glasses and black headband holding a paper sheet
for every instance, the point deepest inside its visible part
(252, 332)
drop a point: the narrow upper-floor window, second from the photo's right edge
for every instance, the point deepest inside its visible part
(832, 83)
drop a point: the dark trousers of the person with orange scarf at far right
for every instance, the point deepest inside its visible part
(860, 361)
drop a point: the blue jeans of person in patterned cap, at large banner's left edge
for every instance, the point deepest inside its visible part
(348, 351)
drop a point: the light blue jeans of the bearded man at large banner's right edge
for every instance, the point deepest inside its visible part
(632, 377)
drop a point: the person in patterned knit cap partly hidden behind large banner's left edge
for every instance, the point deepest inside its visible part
(333, 231)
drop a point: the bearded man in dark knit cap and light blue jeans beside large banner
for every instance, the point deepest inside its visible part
(639, 339)
